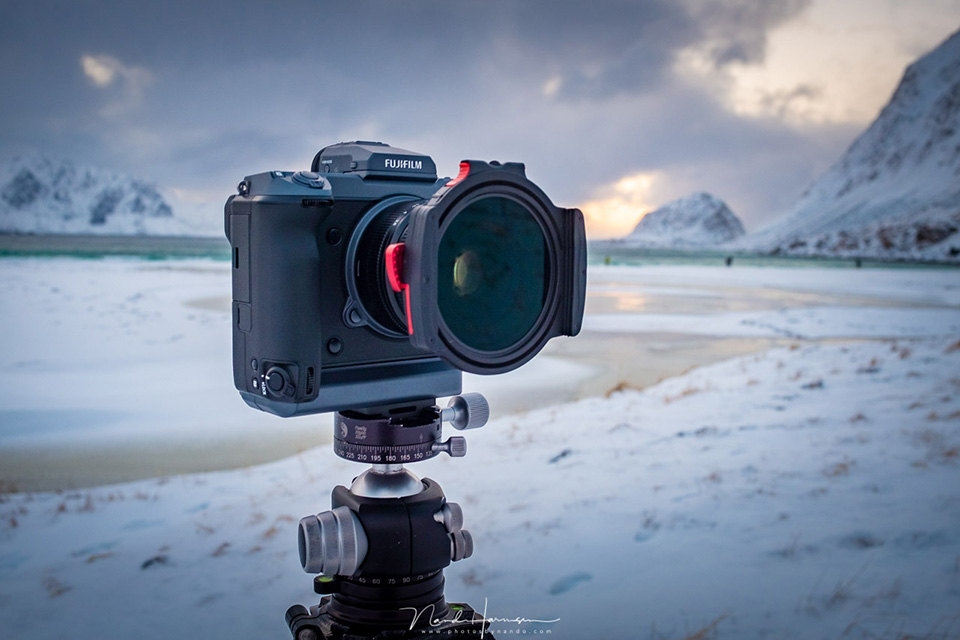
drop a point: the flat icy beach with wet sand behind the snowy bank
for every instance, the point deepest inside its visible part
(119, 369)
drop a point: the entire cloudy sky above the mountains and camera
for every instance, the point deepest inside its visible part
(615, 106)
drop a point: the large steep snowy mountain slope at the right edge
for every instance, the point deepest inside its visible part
(896, 191)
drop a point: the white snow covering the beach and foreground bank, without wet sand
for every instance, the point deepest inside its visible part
(809, 491)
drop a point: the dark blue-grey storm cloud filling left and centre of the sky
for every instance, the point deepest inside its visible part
(207, 91)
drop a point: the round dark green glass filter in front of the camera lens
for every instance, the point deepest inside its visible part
(492, 270)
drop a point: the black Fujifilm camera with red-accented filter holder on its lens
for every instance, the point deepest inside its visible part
(367, 281)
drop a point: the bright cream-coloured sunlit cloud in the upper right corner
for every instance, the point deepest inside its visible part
(819, 63)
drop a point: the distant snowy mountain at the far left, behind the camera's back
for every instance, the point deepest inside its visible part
(42, 195)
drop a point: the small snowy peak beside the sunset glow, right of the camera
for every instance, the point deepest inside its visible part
(699, 220)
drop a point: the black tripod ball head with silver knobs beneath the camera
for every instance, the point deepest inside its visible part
(382, 547)
